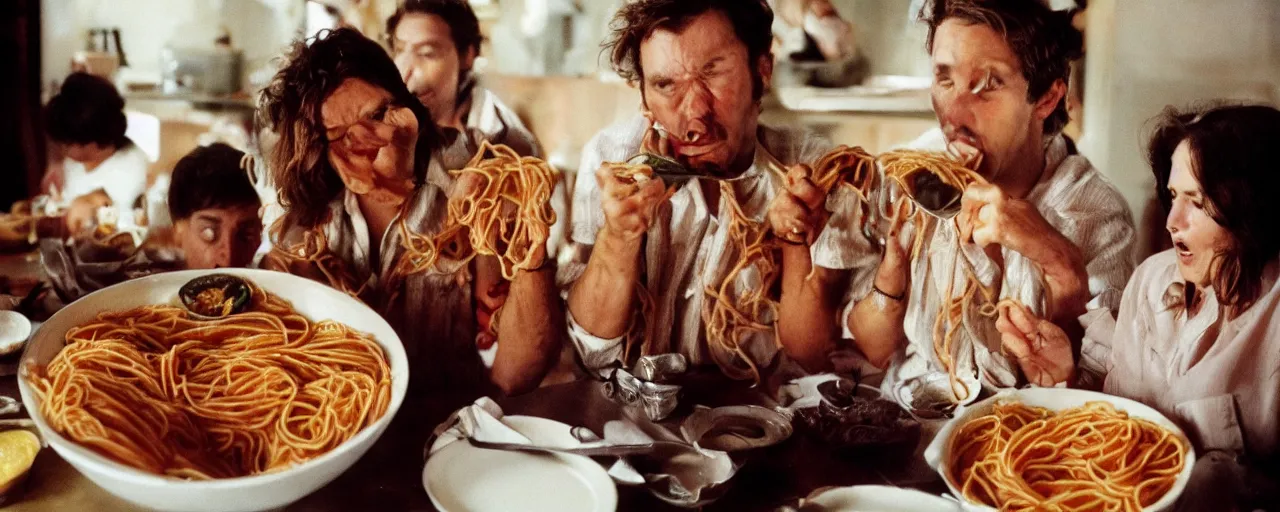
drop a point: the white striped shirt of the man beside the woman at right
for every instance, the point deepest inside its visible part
(1075, 199)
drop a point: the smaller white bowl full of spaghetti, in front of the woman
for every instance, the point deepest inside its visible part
(1043, 447)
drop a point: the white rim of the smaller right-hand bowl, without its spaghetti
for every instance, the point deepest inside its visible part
(939, 454)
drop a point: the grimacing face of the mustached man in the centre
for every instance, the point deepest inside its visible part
(698, 86)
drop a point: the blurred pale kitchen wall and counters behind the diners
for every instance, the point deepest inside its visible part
(190, 70)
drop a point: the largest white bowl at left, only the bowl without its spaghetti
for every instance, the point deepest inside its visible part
(249, 493)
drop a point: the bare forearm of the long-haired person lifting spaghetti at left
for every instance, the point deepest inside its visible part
(531, 332)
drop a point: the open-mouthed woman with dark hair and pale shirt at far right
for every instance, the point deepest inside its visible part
(1196, 336)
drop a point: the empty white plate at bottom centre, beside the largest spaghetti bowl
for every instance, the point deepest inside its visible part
(461, 478)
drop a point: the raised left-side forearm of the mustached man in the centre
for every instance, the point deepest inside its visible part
(602, 300)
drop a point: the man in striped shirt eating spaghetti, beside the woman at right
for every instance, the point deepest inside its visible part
(1041, 227)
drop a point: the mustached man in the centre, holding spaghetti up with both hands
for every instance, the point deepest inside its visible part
(702, 68)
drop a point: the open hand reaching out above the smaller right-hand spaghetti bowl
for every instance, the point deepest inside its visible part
(1041, 348)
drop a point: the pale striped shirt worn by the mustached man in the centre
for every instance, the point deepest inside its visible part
(687, 248)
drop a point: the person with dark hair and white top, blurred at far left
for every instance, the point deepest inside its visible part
(102, 166)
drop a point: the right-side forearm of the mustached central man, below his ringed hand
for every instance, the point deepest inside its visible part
(808, 328)
